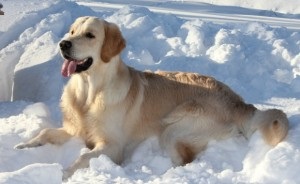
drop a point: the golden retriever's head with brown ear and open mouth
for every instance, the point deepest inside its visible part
(90, 40)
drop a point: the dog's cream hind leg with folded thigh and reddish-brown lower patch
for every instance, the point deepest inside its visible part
(189, 128)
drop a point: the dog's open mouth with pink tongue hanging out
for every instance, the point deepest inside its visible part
(71, 66)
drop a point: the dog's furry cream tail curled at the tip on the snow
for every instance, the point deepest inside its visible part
(273, 125)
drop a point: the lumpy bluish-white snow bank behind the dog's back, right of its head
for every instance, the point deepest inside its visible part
(244, 56)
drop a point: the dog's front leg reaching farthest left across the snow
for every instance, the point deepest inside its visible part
(49, 135)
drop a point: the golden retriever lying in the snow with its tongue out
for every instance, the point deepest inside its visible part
(114, 107)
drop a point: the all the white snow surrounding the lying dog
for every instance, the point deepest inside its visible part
(253, 46)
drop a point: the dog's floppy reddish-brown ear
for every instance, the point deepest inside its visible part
(113, 42)
